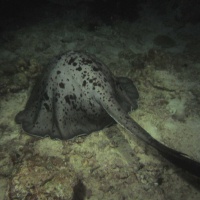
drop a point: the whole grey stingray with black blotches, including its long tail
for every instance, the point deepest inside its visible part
(78, 95)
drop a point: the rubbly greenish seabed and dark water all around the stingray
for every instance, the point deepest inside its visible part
(154, 43)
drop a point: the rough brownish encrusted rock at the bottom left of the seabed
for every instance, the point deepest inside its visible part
(34, 180)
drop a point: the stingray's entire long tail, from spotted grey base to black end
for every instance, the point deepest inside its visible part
(179, 159)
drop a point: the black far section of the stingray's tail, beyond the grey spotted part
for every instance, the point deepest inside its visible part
(177, 158)
